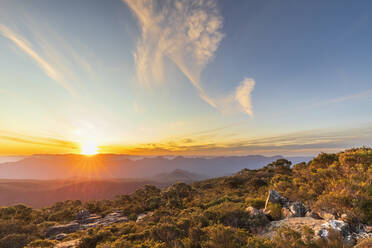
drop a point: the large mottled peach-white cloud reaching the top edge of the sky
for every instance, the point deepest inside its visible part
(188, 32)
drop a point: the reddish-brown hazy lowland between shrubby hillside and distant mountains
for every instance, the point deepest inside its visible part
(41, 193)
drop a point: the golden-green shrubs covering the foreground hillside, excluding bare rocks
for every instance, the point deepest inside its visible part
(212, 213)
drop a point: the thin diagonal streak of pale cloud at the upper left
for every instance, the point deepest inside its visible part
(46, 46)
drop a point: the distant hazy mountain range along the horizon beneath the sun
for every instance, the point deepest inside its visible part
(105, 166)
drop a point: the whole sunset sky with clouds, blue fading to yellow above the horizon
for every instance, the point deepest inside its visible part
(185, 77)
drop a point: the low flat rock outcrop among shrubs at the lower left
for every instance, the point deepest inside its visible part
(84, 221)
